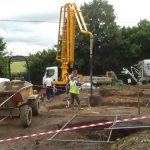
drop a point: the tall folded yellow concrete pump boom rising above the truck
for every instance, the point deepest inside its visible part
(69, 15)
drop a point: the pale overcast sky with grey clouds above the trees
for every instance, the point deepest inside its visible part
(25, 37)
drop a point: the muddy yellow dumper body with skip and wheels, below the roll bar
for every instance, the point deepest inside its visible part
(17, 99)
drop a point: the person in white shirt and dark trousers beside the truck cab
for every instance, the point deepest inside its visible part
(49, 88)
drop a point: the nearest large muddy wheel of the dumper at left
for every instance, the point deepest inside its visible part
(26, 115)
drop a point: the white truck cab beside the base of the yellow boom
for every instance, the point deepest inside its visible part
(52, 72)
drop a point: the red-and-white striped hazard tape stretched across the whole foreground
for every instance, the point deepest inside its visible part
(74, 128)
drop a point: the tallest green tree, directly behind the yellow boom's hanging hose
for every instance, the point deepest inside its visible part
(100, 20)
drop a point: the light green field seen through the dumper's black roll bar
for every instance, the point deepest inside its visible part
(18, 67)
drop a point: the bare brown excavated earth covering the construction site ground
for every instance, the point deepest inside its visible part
(107, 102)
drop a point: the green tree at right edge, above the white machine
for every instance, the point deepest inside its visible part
(133, 44)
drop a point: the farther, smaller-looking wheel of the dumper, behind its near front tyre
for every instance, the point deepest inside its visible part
(35, 105)
